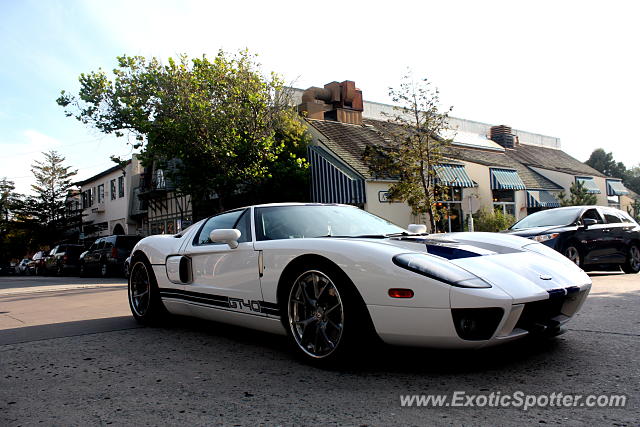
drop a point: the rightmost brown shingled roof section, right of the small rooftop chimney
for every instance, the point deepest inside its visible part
(552, 159)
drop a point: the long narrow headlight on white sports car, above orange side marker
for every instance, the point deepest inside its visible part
(439, 269)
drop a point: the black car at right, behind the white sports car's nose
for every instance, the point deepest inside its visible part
(593, 237)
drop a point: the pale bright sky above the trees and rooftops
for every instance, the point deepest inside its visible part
(568, 69)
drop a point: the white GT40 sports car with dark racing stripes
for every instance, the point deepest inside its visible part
(330, 276)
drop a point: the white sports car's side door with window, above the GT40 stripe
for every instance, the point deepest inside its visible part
(222, 276)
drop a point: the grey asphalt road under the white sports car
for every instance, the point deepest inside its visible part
(70, 354)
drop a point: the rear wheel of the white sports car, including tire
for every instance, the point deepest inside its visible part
(144, 296)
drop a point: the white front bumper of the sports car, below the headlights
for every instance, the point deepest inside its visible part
(435, 327)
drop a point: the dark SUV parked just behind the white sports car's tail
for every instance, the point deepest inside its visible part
(107, 255)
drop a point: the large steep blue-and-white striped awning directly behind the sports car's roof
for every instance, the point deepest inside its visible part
(331, 182)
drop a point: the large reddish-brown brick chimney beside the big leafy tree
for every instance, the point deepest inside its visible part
(340, 102)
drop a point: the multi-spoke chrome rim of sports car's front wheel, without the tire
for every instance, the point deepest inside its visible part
(316, 314)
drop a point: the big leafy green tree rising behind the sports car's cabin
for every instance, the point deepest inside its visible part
(221, 122)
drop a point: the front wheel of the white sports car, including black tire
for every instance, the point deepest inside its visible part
(324, 316)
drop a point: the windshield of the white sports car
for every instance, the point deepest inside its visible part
(305, 221)
